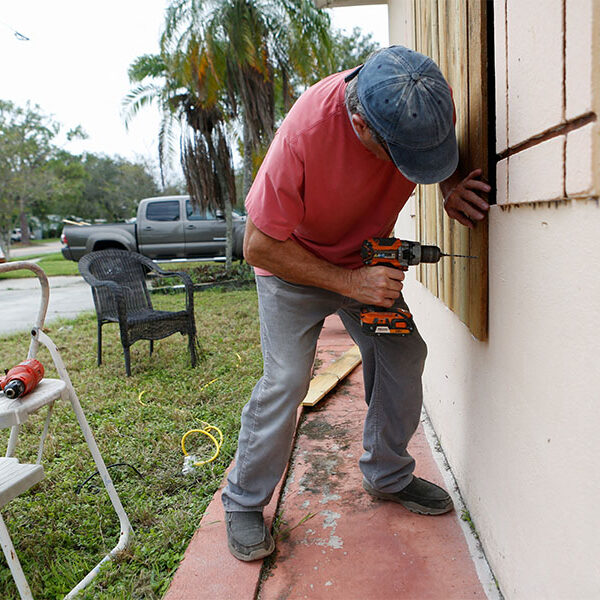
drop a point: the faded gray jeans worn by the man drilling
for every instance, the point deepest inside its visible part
(291, 318)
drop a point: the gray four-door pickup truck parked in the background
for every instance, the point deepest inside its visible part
(166, 228)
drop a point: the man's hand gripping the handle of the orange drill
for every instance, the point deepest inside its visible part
(379, 286)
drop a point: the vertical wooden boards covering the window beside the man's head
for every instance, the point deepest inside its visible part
(454, 33)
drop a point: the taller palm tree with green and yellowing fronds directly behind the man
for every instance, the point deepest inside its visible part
(247, 46)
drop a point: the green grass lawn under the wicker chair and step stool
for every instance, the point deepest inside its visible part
(60, 534)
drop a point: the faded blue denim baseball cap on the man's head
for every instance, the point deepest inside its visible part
(409, 104)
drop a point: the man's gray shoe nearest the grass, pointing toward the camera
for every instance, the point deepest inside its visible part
(247, 537)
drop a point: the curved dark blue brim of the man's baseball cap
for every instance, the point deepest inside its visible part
(427, 166)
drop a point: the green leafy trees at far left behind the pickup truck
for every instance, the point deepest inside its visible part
(38, 179)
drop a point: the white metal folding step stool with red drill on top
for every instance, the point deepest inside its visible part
(17, 478)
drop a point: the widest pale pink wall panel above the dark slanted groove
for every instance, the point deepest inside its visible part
(535, 67)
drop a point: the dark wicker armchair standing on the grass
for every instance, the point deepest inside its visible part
(118, 280)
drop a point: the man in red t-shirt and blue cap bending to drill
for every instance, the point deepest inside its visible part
(341, 166)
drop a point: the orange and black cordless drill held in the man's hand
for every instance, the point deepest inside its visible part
(398, 254)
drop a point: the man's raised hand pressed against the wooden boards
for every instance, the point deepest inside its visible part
(462, 199)
